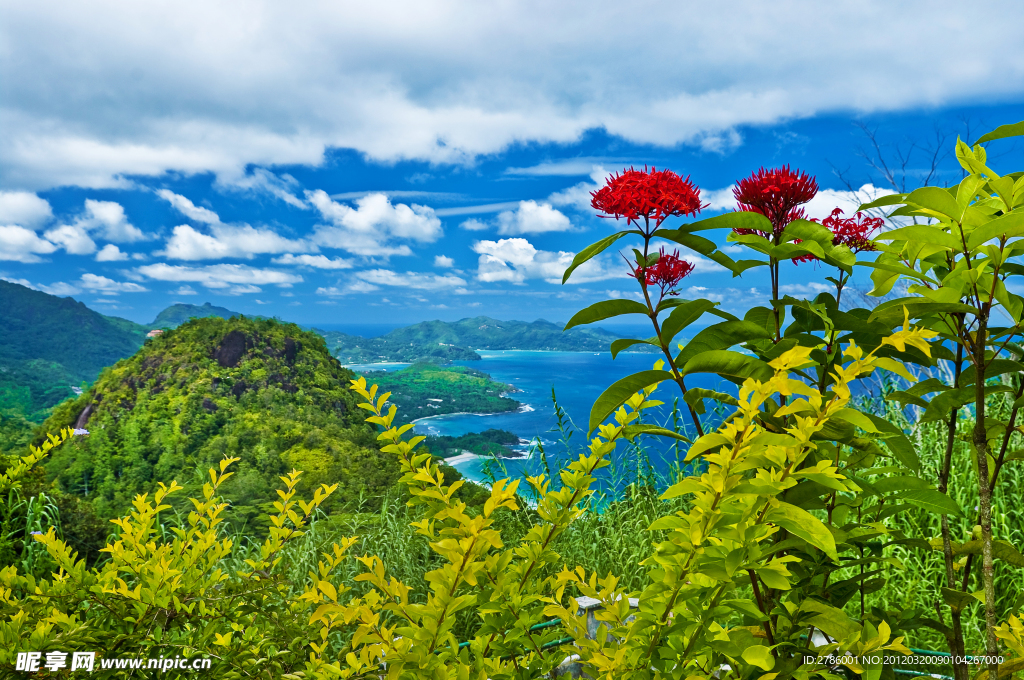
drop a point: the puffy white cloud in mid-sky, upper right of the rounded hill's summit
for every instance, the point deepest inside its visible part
(374, 227)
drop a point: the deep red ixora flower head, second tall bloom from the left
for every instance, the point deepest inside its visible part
(777, 194)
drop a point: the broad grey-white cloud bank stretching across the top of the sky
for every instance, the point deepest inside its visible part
(449, 82)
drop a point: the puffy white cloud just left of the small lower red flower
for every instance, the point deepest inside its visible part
(516, 261)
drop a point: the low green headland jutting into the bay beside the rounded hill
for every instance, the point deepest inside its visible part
(425, 390)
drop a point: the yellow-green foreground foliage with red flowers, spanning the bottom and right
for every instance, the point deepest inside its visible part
(764, 558)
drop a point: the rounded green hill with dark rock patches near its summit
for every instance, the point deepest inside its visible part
(258, 390)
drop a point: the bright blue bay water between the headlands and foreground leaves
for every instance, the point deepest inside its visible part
(578, 379)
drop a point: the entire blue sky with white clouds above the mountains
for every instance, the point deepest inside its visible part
(343, 164)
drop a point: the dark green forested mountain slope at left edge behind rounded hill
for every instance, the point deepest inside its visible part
(51, 345)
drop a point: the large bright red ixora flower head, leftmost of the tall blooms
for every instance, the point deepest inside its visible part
(650, 195)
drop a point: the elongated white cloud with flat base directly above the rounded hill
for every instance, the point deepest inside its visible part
(240, 241)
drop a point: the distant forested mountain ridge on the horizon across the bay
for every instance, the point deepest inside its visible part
(457, 341)
